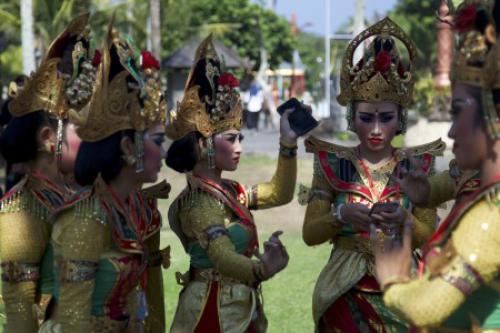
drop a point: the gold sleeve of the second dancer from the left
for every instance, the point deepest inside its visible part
(78, 244)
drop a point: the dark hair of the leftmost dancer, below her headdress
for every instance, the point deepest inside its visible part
(18, 142)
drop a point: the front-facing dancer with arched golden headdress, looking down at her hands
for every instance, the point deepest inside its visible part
(349, 181)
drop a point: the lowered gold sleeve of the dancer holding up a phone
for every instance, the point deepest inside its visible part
(205, 221)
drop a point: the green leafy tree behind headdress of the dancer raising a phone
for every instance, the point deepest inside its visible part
(241, 24)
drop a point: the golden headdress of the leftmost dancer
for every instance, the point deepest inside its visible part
(53, 87)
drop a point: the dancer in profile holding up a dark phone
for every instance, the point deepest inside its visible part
(212, 215)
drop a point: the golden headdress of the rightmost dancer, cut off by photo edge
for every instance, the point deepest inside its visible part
(477, 59)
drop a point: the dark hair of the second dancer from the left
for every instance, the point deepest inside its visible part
(104, 157)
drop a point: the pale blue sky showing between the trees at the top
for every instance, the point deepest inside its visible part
(311, 13)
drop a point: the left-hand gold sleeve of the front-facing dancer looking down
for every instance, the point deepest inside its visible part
(319, 223)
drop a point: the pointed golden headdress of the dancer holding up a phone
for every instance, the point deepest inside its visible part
(211, 102)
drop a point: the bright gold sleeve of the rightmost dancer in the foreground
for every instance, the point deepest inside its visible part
(473, 260)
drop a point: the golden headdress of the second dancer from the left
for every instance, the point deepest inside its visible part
(127, 93)
